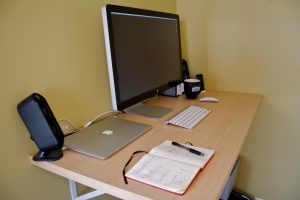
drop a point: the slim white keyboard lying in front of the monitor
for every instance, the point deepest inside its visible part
(189, 116)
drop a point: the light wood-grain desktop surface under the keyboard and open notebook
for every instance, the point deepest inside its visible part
(223, 130)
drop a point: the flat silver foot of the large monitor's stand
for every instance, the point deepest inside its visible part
(148, 110)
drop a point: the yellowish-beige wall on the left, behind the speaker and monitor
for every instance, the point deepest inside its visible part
(56, 48)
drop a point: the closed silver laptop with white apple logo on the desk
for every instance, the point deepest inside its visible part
(106, 137)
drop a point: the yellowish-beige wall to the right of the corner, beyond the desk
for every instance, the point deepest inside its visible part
(254, 46)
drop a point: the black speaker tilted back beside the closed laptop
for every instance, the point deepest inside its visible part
(43, 128)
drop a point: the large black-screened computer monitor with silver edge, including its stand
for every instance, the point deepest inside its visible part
(143, 55)
